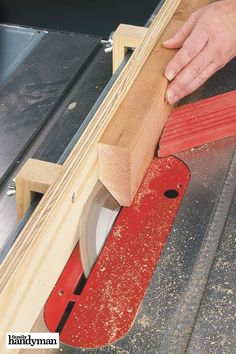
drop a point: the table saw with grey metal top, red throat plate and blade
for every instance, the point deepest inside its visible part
(161, 277)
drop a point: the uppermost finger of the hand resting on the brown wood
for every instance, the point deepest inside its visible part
(178, 39)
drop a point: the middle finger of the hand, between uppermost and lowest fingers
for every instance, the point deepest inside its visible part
(191, 48)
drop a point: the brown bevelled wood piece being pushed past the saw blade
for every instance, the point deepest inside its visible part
(130, 141)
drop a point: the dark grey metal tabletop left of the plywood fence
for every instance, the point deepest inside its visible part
(36, 118)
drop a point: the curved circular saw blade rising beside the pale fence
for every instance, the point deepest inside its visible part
(97, 219)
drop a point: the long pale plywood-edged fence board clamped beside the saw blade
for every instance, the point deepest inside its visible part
(38, 256)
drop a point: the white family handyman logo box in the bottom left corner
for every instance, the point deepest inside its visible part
(32, 340)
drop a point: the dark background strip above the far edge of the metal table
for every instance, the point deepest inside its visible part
(96, 17)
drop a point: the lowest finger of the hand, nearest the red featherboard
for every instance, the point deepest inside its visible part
(175, 95)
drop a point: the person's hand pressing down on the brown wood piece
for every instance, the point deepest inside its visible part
(207, 41)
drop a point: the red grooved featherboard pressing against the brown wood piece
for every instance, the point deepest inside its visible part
(199, 123)
